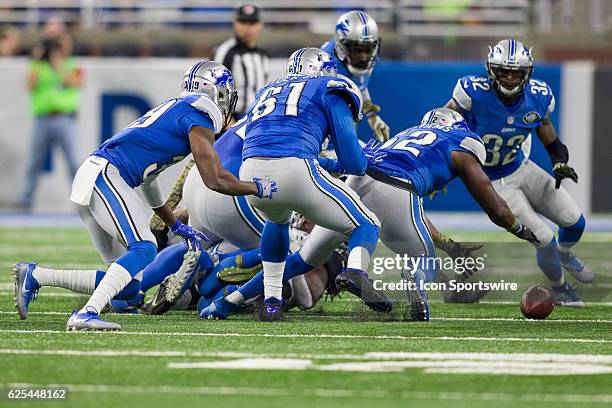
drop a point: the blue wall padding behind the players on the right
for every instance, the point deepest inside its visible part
(407, 90)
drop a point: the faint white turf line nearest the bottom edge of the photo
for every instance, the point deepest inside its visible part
(323, 392)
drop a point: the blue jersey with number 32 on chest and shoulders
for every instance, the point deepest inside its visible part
(503, 128)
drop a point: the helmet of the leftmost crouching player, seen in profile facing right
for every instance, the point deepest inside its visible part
(214, 80)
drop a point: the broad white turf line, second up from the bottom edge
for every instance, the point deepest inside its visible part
(526, 357)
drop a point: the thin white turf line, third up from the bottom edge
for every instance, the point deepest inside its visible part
(314, 336)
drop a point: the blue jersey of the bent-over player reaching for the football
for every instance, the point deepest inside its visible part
(422, 155)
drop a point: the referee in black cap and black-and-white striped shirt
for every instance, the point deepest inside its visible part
(248, 62)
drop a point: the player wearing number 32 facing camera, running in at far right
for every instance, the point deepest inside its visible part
(505, 109)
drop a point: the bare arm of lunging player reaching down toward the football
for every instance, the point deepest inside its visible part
(479, 186)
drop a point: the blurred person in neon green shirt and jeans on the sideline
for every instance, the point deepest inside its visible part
(54, 80)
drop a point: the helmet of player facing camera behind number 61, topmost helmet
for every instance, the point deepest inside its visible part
(357, 41)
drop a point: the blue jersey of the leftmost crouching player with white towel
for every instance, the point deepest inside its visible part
(160, 138)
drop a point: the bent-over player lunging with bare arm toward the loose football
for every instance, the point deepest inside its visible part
(406, 168)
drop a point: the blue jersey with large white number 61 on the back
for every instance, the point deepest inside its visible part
(290, 117)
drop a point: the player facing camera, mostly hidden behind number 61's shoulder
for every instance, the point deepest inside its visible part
(355, 49)
